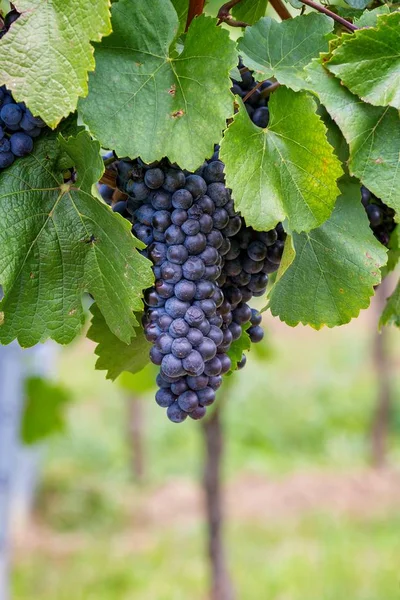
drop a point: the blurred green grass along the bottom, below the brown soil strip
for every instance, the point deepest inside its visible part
(318, 558)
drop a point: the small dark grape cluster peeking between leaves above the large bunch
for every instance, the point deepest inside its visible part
(257, 103)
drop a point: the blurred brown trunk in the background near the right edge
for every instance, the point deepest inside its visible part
(381, 355)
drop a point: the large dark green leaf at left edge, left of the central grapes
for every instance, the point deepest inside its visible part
(58, 241)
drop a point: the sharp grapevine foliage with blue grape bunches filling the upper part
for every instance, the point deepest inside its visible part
(167, 167)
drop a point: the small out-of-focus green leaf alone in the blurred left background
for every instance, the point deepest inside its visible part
(44, 411)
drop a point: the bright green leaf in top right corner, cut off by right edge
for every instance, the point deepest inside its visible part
(368, 62)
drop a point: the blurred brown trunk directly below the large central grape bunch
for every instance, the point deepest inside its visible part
(221, 584)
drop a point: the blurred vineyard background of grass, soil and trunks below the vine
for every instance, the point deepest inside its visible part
(289, 491)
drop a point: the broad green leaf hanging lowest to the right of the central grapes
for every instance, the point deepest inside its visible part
(334, 269)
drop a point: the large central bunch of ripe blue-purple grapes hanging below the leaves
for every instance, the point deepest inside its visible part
(198, 305)
